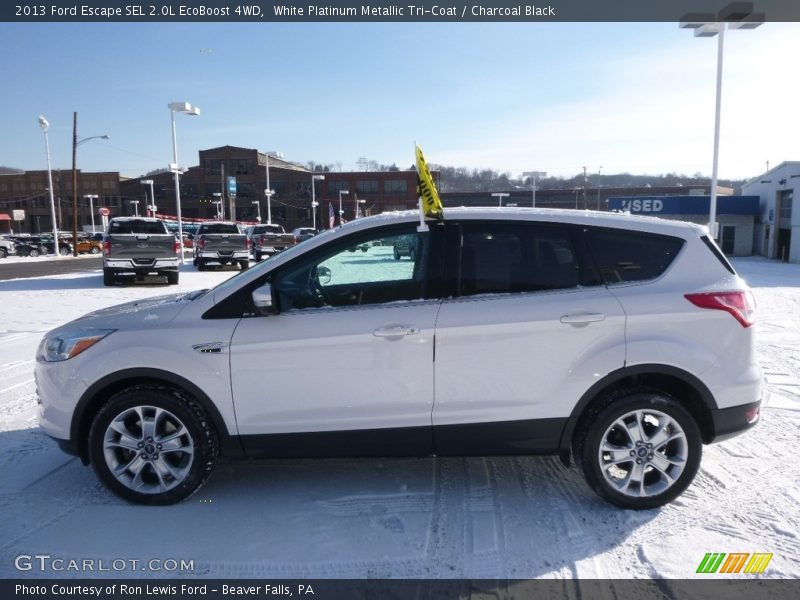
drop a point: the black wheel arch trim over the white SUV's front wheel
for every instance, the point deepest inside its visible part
(99, 392)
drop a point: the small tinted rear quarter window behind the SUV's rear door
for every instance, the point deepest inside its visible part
(623, 256)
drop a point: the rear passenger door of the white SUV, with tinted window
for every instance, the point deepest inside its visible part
(529, 332)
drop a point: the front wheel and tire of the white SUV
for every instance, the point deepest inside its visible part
(159, 477)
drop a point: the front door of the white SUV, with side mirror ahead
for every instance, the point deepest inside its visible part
(346, 365)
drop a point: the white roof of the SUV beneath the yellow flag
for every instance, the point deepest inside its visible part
(551, 215)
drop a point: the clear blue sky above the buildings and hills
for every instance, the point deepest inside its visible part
(513, 97)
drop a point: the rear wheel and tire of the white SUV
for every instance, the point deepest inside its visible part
(664, 471)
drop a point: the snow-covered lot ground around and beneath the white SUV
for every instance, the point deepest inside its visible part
(444, 518)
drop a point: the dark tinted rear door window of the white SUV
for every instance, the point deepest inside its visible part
(501, 258)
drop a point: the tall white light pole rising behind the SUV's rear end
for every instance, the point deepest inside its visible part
(737, 15)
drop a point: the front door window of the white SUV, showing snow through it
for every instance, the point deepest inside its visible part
(383, 267)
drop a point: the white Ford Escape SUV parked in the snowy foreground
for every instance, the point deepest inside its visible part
(624, 342)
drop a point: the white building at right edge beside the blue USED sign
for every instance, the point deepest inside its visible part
(778, 232)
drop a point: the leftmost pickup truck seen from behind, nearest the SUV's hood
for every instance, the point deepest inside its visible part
(139, 246)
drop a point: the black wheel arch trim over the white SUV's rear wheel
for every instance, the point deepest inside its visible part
(686, 388)
